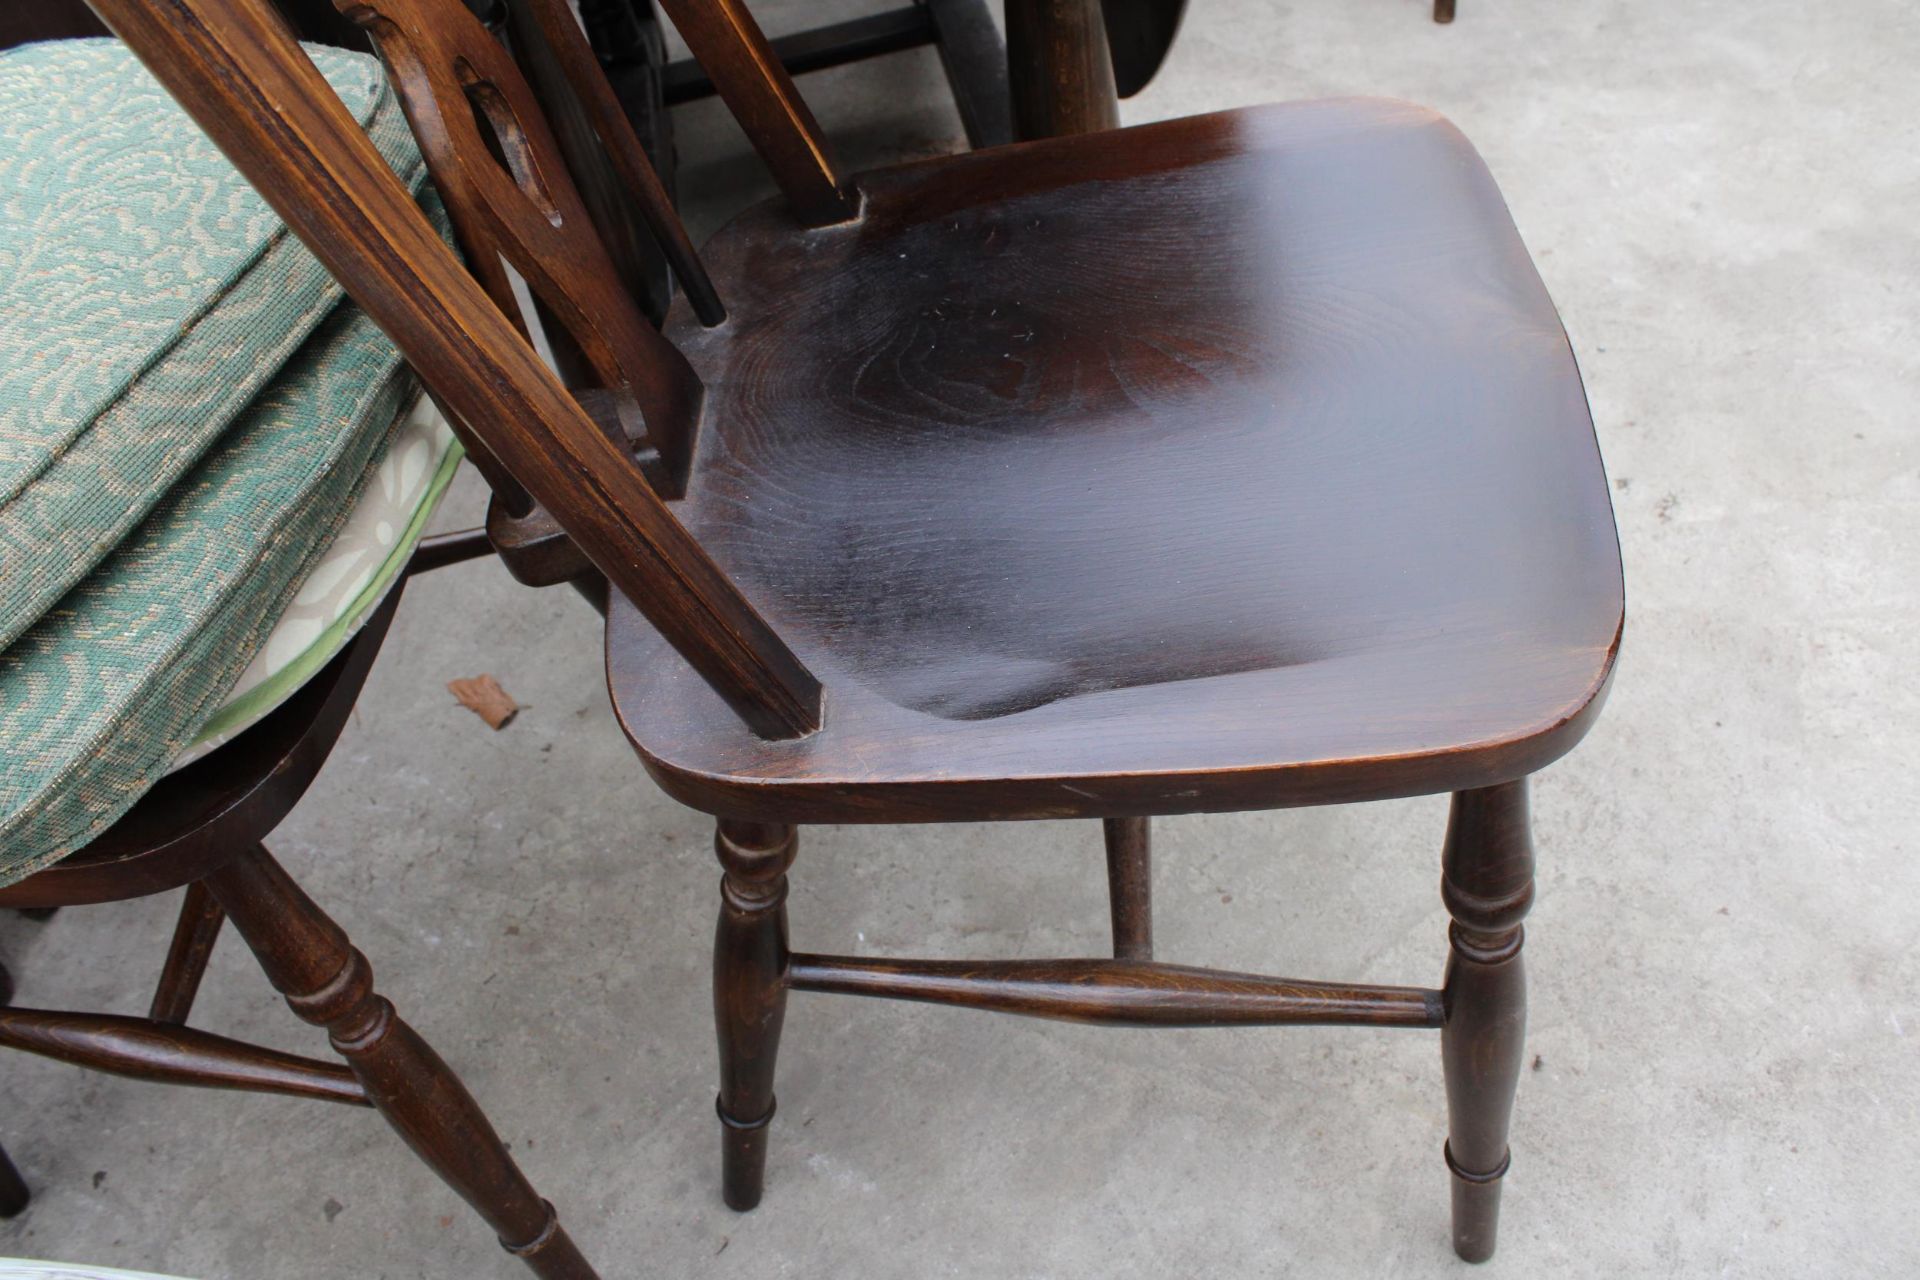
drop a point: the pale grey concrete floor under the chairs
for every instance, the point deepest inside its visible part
(1725, 1020)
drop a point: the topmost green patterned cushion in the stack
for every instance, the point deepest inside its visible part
(147, 295)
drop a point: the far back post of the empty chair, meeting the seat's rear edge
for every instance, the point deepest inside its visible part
(736, 57)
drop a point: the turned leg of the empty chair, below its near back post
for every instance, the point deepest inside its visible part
(750, 995)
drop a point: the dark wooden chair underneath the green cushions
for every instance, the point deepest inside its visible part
(203, 828)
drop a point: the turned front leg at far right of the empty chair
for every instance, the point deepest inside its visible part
(1489, 886)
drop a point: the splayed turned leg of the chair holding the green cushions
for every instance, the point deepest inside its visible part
(329, 984)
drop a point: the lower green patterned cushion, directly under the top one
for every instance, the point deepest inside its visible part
(107, 690)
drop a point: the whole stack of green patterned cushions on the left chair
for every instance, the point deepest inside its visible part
(189, 419)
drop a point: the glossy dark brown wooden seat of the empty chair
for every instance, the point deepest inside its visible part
(1243, 452)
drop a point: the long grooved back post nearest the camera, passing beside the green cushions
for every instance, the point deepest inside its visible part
(251, 87)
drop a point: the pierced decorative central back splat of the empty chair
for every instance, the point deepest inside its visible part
(514, 199)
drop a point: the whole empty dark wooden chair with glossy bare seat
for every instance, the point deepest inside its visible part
(1214, 465)
